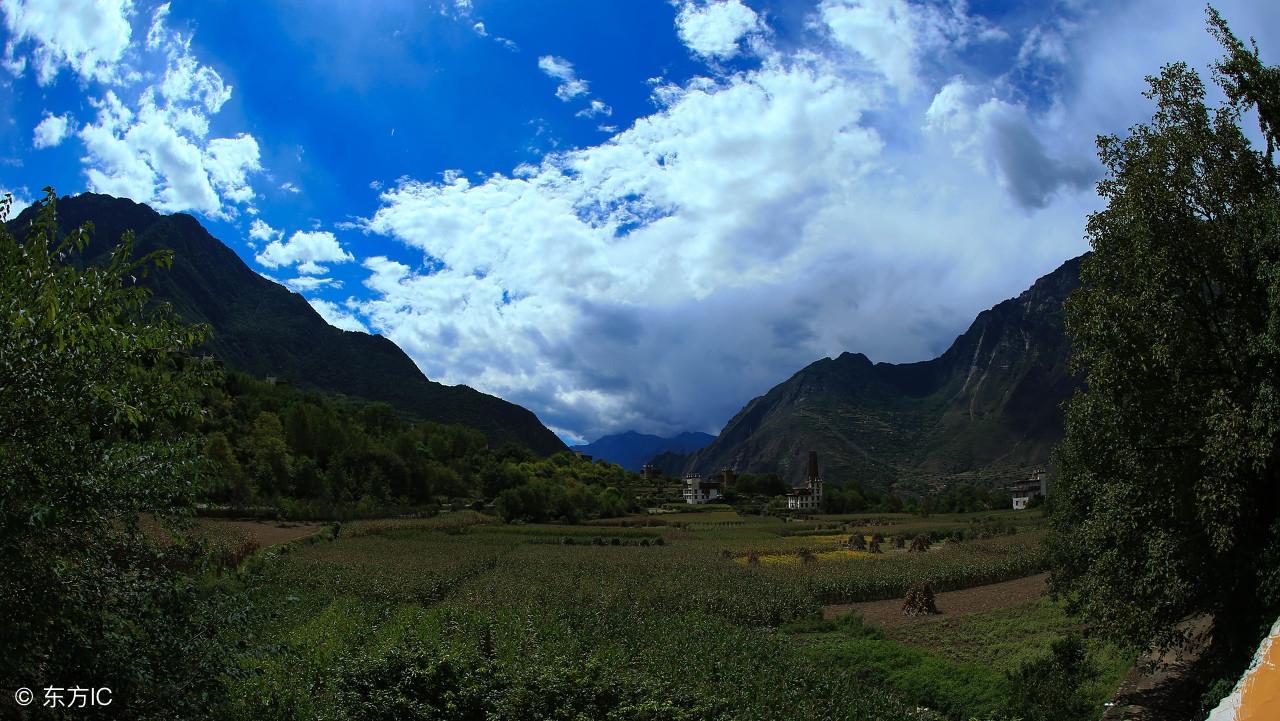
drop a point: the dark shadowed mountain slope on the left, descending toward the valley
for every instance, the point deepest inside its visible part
(268, 331)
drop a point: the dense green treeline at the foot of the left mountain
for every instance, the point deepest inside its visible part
(312, 455)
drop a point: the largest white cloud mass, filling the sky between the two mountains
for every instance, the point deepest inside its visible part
(662, 279)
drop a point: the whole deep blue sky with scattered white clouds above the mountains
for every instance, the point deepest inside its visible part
(620, 215)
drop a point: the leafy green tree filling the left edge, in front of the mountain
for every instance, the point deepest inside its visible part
(98, 396)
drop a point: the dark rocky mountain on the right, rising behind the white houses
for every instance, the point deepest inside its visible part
(988, 409)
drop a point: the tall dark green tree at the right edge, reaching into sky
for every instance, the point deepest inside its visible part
(1169, 494)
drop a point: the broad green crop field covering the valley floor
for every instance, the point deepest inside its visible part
(609, 622)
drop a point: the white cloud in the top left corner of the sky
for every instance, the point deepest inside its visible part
(86, 36)
